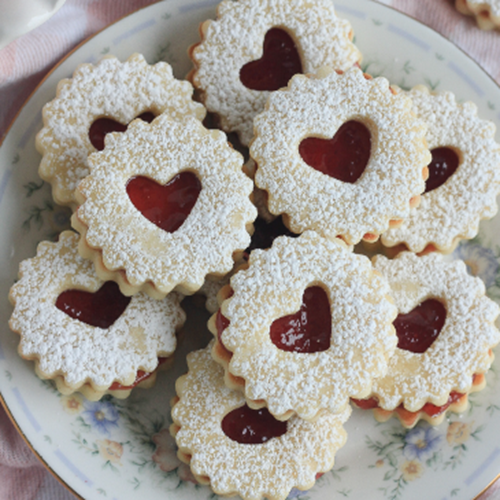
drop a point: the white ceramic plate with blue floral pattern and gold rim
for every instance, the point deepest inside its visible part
(121, 449)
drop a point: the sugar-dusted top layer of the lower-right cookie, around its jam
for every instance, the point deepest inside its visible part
(460, 350)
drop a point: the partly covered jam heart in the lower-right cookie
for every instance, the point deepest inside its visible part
(418, 329)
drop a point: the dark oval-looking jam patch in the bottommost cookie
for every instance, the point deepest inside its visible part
(247, 426)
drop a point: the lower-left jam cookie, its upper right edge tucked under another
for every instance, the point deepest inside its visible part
(83, 333)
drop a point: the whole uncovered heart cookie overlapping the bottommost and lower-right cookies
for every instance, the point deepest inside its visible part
(306, 326)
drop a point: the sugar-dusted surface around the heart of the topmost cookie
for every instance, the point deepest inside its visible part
(236, 38)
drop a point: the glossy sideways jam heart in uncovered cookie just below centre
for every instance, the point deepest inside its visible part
(309, 329)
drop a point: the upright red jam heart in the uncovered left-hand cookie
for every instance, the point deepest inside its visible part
(165, 206)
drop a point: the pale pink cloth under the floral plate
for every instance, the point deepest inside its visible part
(25, 61)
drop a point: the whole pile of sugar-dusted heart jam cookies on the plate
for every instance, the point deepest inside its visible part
(338, 164)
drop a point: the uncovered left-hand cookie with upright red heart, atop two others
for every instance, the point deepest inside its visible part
(165, 205)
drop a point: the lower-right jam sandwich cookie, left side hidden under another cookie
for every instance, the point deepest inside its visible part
(445, 330)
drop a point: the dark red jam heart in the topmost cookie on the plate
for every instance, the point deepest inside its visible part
(279, 62)
